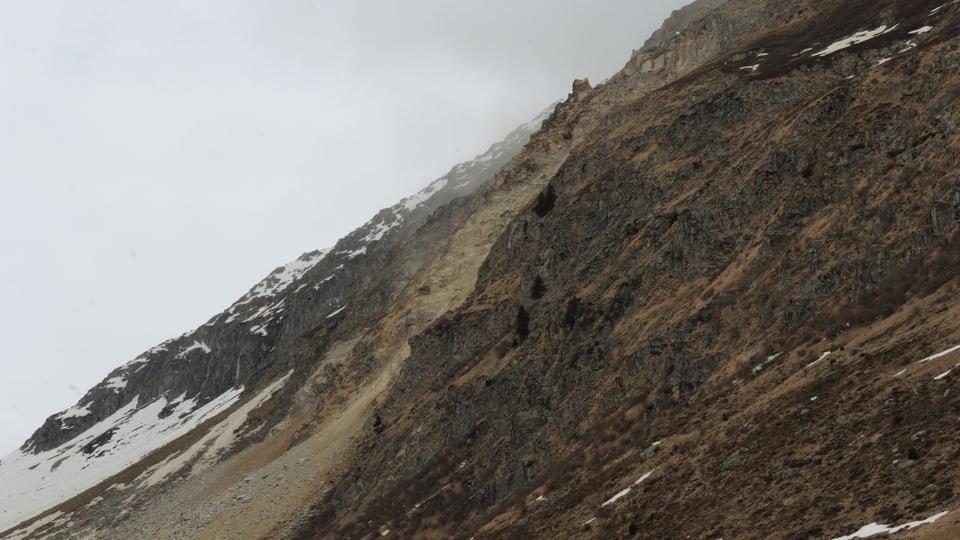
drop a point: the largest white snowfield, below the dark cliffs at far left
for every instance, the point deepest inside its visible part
(31, 483)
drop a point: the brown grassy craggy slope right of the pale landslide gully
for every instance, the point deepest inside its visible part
(759, 205)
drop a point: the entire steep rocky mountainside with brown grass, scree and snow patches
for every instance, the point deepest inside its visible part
(711, 297)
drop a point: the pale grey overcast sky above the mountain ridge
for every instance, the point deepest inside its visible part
(157, 158)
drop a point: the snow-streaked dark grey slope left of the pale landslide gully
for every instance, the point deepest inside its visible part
(196, 379)
